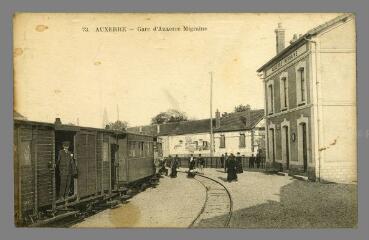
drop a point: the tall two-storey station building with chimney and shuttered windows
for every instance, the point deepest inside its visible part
(310, 102)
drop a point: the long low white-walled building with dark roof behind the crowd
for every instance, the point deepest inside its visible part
(233, 132)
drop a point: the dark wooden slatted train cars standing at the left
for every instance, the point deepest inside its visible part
(108, 163)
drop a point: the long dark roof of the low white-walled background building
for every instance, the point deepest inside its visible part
(231, 122)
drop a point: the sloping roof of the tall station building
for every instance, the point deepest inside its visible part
(308, 34)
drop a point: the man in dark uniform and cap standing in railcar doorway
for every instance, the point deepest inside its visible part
(66, 167)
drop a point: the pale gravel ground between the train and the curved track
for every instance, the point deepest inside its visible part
(175, 202)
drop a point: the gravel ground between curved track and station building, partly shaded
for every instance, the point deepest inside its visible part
(273, 201)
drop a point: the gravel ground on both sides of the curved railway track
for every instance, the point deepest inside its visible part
(259, 201)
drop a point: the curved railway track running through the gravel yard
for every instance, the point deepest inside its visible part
(218, 206)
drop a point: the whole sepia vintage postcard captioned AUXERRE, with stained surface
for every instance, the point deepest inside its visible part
(185, 120)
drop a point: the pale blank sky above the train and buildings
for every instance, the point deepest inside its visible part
(61, 71)
